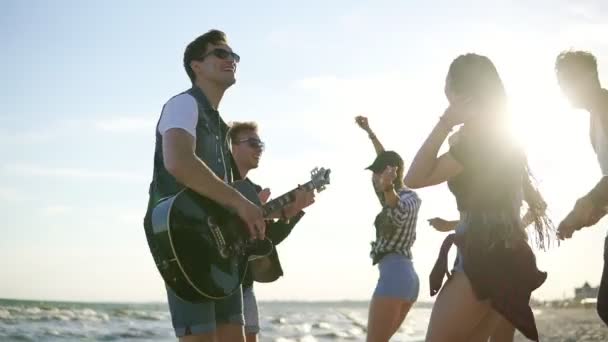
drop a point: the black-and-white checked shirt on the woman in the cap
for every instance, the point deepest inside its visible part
(396, 227)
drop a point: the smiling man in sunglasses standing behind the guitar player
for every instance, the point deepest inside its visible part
(247, 150)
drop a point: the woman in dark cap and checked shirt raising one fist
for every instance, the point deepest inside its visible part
(398, 284)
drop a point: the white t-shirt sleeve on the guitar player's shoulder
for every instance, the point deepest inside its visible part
(180, 111)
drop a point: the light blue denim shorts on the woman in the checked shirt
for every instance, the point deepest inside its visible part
(398, 278)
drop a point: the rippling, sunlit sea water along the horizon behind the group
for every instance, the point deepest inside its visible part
(279, 321)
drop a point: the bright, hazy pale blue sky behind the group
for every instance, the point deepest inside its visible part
(83, 83)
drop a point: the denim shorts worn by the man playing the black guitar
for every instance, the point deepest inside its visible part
(201, 318)
